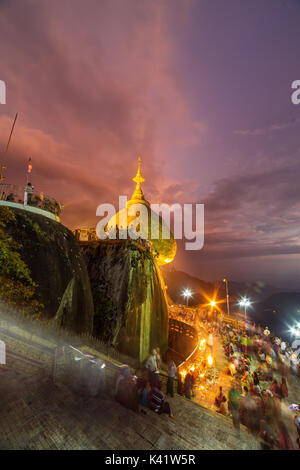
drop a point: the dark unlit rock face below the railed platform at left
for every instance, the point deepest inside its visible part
(57, 265)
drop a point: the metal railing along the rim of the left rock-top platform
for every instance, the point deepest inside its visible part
(30, 197)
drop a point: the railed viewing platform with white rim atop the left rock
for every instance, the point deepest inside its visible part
(30, 200)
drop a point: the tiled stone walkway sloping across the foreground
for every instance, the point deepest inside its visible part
(38, 415)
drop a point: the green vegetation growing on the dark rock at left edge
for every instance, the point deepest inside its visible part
(16, 285)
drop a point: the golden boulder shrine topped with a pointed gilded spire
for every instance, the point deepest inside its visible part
(163, 249)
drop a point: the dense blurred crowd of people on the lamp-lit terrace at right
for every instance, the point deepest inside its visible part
(257, 399)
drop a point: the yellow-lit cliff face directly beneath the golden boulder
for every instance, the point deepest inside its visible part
(129, 301)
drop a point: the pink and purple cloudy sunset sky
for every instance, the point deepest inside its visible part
(201, 89)
